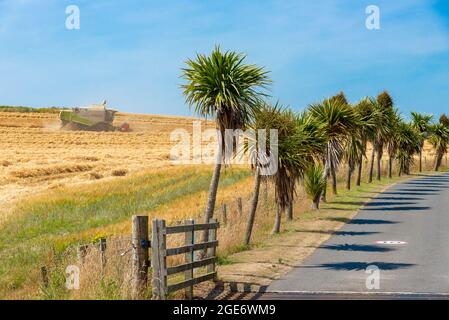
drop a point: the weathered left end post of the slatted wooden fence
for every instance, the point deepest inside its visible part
(159, 260)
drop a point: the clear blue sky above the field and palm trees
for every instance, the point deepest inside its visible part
(130, 52)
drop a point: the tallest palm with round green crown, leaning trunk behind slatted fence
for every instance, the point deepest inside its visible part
(223, 86)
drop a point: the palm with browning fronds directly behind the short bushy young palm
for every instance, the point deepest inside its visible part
(338, 121)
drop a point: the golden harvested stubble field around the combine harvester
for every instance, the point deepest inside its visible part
(36, 155)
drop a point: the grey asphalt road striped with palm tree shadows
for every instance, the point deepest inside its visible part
(415, 216)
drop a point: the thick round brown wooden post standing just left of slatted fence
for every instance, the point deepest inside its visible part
(140, 260)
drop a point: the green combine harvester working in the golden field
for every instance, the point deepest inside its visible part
(96, 117)
